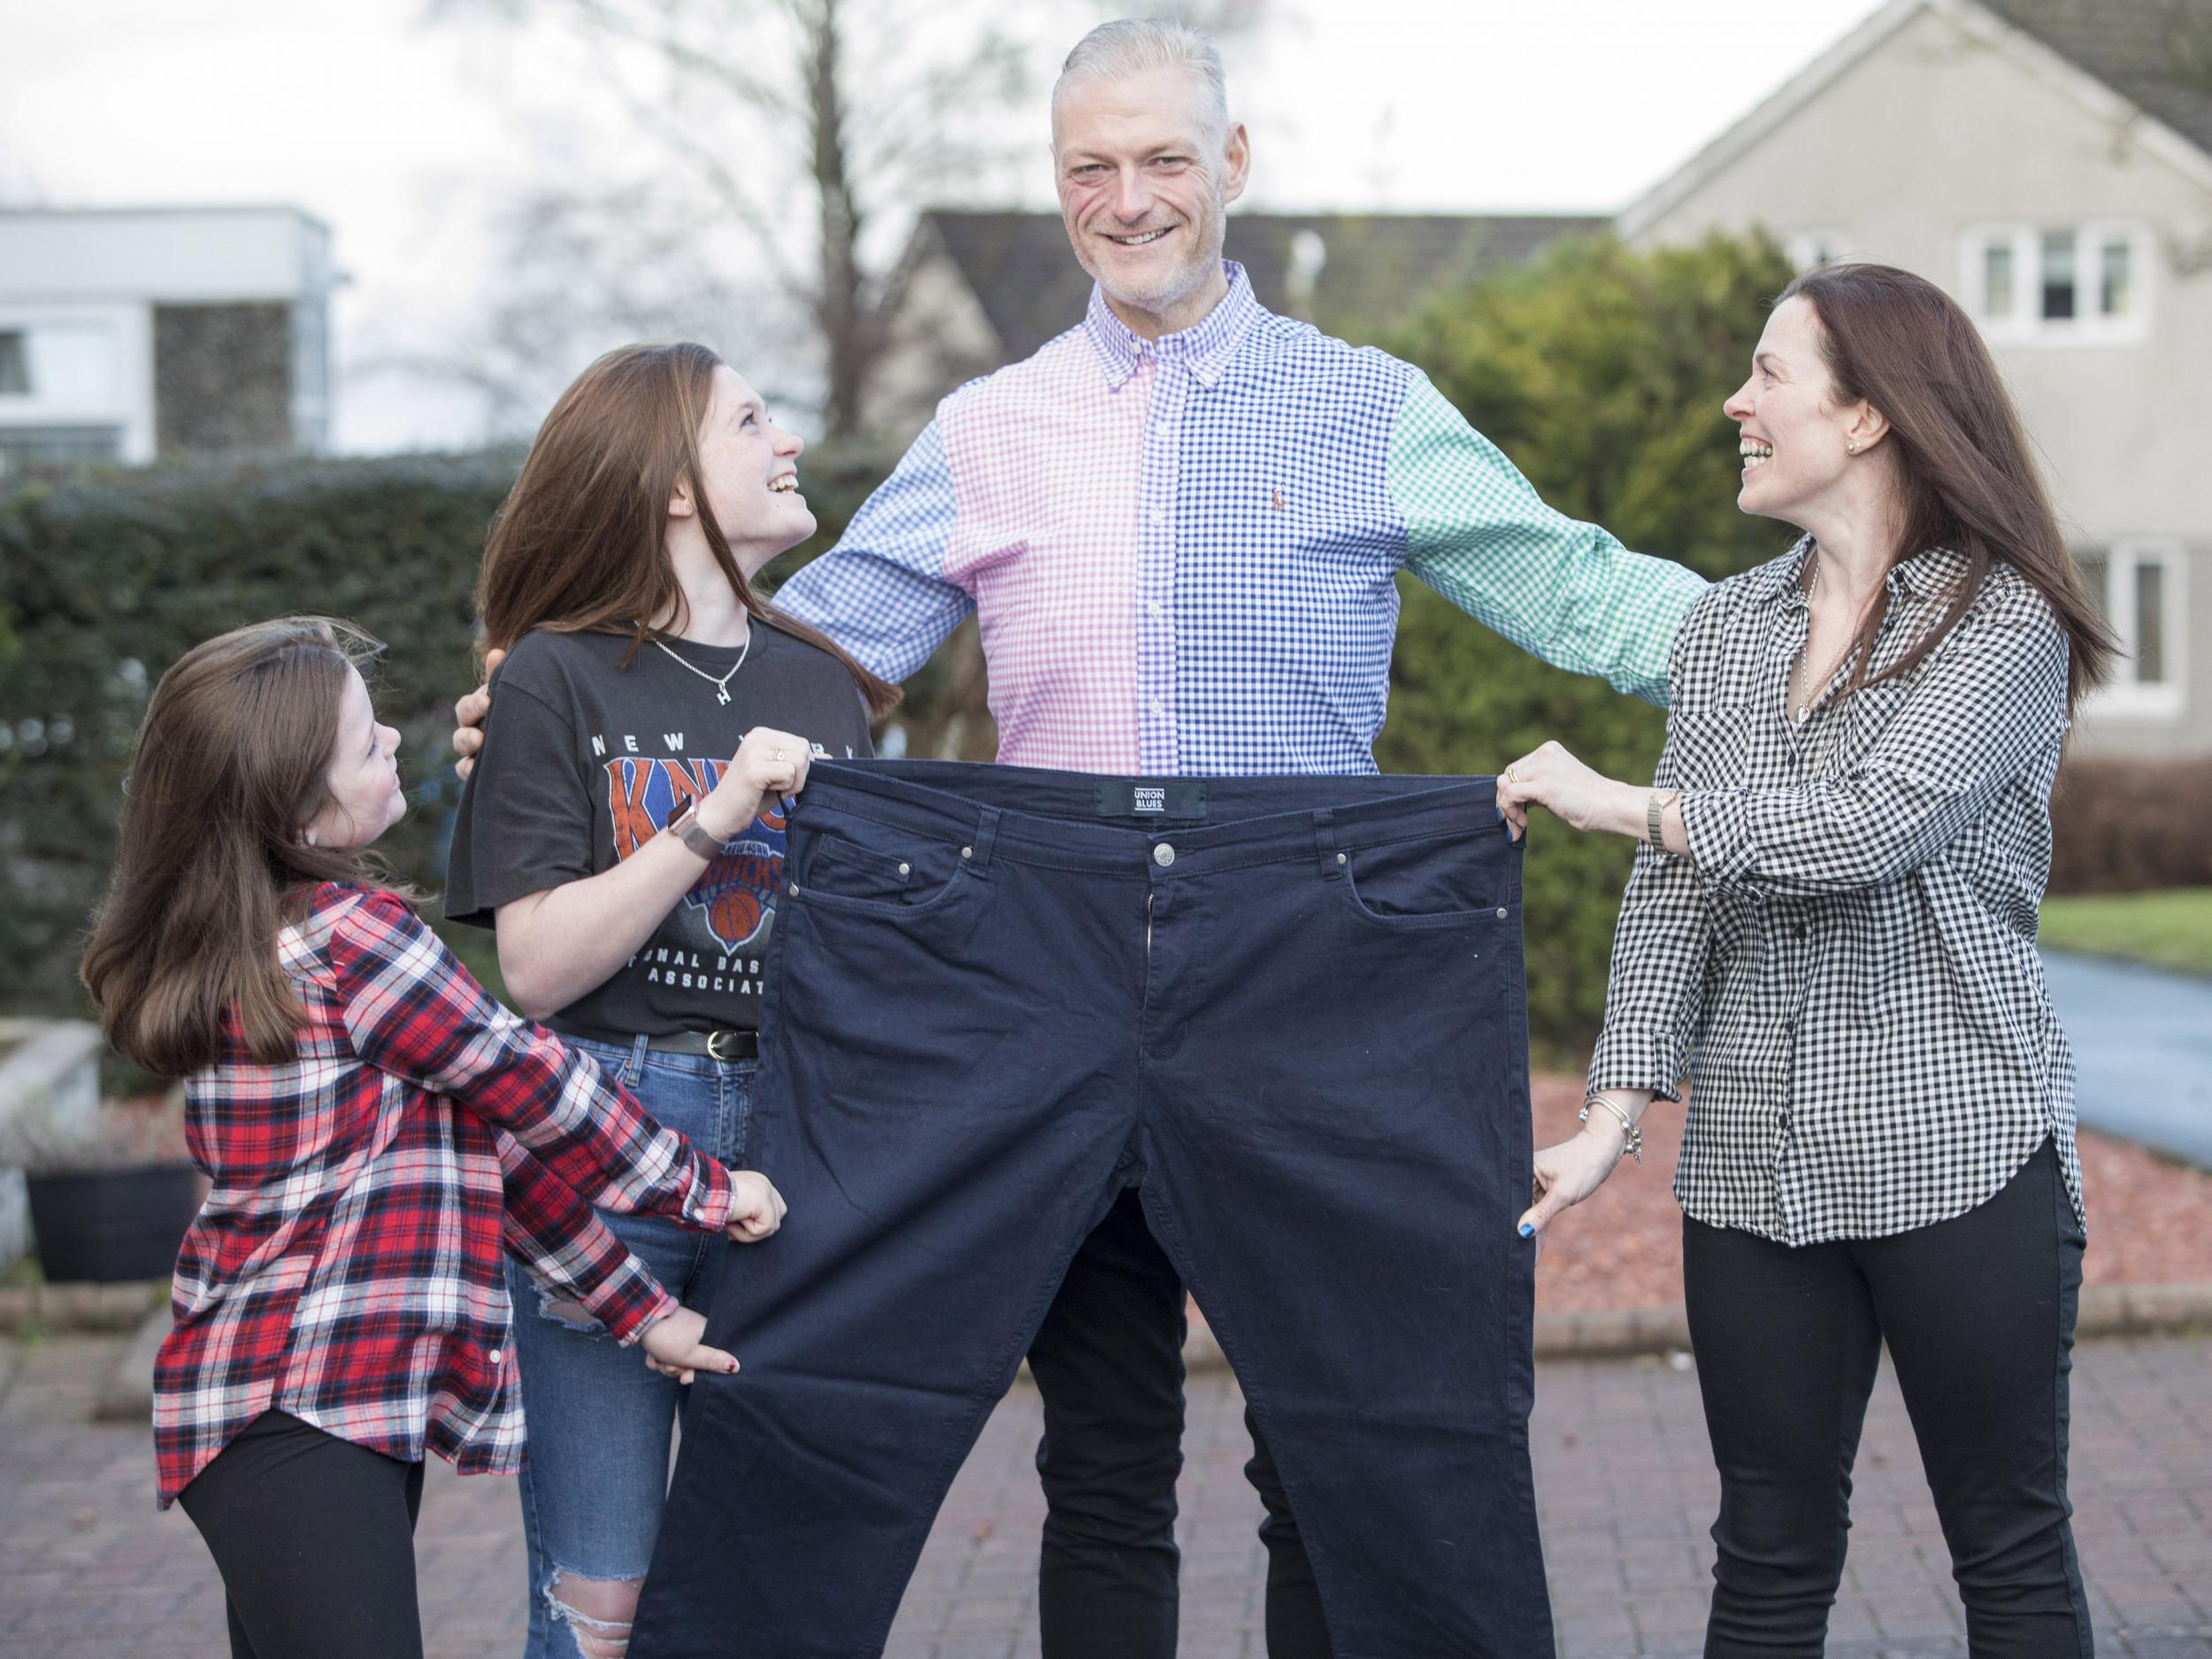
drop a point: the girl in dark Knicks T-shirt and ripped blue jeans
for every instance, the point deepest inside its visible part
(623, 835)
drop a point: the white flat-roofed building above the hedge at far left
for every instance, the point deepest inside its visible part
(129, 335)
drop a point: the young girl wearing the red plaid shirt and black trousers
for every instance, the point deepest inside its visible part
(375, 1127)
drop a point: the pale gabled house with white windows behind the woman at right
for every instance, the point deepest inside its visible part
(2049, 163)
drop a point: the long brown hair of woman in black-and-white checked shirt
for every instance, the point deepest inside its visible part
(1965, 470)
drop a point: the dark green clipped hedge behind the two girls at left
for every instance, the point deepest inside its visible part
(109, 578)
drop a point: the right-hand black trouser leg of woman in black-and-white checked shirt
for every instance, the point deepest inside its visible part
(1979, 1313)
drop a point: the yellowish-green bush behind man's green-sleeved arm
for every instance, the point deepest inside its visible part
(1600, 373)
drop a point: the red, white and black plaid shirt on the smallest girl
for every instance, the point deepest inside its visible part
(346, 1269)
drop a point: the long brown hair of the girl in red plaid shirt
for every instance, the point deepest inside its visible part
(233, 760)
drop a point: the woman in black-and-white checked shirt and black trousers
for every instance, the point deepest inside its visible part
(1833, 928)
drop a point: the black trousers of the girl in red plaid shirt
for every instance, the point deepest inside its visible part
(315, 1543)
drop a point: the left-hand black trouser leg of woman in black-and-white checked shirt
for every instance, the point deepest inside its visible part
(1786, 1355)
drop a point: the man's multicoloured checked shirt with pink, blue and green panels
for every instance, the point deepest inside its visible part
(1182, 552)
